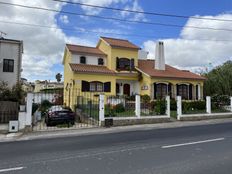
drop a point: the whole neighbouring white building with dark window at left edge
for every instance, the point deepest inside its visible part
(10, 60)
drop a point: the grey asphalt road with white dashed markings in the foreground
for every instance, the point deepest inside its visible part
(196, 149)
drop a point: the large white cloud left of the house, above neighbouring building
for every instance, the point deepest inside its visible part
(43, 47)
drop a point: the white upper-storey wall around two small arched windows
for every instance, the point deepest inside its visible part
(91, 60)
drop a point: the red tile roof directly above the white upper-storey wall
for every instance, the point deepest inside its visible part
(85, 50)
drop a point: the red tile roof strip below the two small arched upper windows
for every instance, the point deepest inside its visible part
(83, 68)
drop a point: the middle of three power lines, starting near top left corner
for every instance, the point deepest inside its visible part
(117, 19)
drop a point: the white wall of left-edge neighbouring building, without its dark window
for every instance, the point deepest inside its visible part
(10, 51)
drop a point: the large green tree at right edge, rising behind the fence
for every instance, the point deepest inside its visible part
(219, 80)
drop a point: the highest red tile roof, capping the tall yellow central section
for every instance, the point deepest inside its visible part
(120, 43)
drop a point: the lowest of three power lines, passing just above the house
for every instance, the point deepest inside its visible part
(100, 32)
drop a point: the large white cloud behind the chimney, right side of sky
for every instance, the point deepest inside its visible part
(188, 53)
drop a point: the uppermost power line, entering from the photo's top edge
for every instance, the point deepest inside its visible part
(144, 12)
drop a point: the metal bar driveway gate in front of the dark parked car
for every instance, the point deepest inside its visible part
(51, 112)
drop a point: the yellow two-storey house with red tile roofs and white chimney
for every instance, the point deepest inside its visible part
(119, 67)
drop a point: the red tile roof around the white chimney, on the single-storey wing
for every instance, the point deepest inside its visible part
(147, 66)
